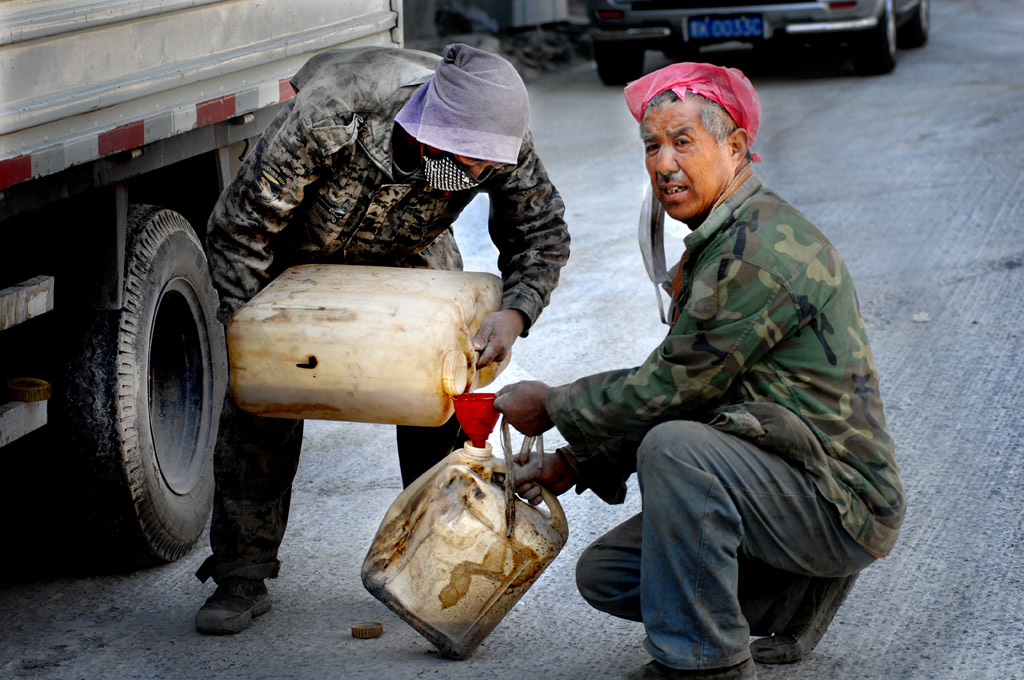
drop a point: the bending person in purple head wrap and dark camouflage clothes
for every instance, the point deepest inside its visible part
(370, 163)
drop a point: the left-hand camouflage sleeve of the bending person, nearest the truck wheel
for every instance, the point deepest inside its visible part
(258, 206)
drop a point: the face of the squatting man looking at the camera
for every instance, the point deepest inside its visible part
(689, 169)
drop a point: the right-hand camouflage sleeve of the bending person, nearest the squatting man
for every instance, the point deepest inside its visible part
(528, 227)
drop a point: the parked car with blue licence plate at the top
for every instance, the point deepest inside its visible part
(624, 30)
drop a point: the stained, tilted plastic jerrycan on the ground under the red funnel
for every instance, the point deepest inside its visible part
(442, 561)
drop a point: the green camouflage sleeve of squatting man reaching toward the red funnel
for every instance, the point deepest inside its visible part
(736, 313)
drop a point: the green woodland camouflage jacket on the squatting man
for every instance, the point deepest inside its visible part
(769, 318)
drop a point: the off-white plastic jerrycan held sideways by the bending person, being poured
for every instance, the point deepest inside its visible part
(362, 344)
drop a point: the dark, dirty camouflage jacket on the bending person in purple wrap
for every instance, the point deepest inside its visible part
(320, 187)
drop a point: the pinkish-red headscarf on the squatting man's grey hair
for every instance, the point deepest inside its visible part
(728, 88)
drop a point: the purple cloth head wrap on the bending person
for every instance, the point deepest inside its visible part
(476, 105)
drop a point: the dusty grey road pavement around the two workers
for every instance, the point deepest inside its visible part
(916, 177)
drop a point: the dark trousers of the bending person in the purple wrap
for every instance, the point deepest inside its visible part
(254, 466)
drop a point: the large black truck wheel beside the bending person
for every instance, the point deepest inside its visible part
(146, 391)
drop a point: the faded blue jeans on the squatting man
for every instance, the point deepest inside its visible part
(711, 501)
